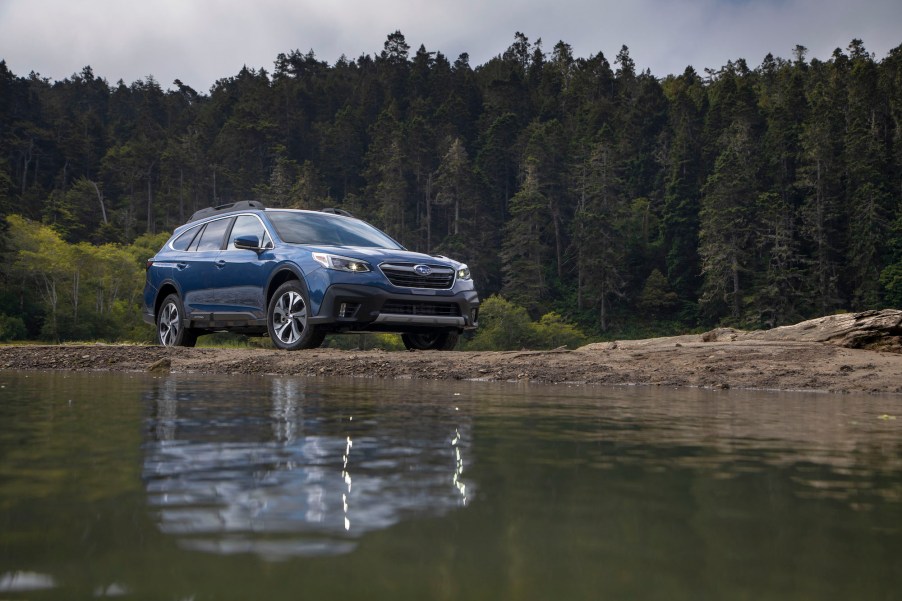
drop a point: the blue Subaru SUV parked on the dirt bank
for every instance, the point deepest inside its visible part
(299, 275)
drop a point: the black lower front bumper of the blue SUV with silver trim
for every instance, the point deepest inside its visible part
(361, 308)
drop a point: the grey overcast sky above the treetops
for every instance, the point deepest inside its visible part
(200, 41)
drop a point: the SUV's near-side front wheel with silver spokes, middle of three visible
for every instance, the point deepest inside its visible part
(286, 319)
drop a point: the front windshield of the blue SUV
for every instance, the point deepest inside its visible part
(322, 229)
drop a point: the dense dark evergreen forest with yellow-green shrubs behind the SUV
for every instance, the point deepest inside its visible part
(582, 192)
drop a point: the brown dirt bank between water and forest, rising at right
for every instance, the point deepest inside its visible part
(810, 356)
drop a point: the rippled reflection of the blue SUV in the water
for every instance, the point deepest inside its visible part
(283, 472)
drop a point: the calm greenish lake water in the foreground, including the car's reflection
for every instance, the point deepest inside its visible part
(187, 487)
